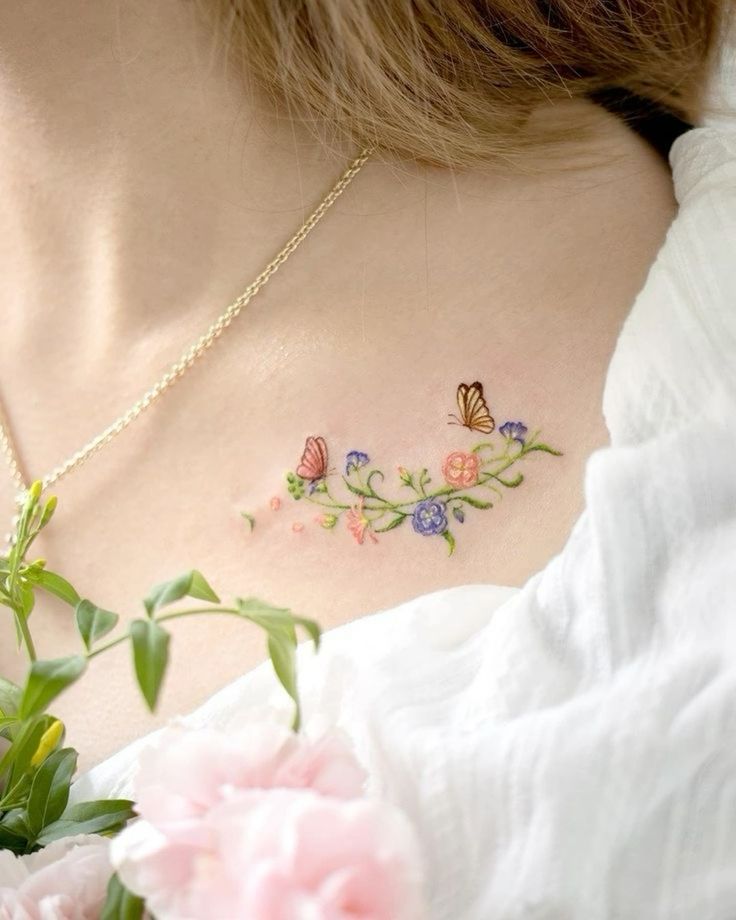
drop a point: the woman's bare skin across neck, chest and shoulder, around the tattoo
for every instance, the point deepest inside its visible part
(142, 191)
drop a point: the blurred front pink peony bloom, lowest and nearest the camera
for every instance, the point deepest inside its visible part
(279, 854)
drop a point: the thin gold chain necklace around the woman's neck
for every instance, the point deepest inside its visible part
(187, 359)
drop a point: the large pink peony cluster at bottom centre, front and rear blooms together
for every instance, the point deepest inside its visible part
(264, 824)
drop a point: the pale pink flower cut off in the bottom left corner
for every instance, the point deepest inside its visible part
(67, 880)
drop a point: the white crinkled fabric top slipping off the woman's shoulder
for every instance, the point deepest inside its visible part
(567, 751)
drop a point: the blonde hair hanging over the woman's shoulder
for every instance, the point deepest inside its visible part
(454, 82)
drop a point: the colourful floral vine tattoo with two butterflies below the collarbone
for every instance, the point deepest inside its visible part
(471, 479)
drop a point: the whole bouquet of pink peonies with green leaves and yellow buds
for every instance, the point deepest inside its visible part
(266, 822)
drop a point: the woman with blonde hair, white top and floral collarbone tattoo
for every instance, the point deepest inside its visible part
(473, 273)
